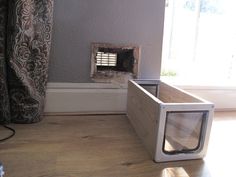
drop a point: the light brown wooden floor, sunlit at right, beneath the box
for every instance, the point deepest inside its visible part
(106, 146)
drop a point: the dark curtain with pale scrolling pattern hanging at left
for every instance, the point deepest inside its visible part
(25, 38)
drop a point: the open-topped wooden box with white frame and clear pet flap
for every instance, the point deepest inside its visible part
(172, 124)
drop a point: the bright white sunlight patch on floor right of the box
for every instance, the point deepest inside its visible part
(223, 144)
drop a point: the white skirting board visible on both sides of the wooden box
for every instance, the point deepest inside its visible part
(97, 98)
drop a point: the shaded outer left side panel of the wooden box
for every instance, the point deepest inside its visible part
(142, 112)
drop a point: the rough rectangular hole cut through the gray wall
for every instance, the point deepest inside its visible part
(114, 63)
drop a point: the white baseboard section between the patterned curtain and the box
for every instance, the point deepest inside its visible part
(82, 98)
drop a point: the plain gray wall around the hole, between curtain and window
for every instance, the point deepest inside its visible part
(78, 23)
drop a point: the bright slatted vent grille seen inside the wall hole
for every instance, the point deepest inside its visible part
(106, 59)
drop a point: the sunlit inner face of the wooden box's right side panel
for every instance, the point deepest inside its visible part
(169, 94)
